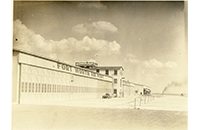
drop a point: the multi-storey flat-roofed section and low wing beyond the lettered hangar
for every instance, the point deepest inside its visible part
(121, 86)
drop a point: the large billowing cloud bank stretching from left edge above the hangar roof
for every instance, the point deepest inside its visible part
(28, 40)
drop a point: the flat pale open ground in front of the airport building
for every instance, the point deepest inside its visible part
(77, 116)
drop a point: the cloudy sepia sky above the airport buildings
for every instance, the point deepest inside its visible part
(149, 39)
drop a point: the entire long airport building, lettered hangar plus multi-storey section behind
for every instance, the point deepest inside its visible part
(38, 79)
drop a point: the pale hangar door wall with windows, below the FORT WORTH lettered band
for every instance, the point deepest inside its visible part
(67, 86)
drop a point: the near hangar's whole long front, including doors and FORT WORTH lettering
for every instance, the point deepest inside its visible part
(57, 81)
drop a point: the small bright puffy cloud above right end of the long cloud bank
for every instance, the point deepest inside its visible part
(103, 25)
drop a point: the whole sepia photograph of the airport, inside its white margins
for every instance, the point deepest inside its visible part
(99, 65)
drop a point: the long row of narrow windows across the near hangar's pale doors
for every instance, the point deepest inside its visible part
(53, 88)
